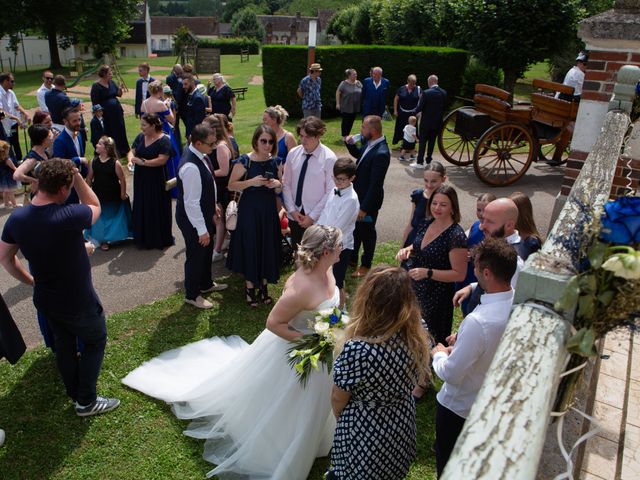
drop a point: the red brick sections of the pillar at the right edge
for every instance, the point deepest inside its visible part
(600, 77)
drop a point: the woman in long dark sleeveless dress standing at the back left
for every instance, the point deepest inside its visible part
(105, 92)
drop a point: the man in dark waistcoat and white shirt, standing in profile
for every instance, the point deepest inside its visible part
(195, 211)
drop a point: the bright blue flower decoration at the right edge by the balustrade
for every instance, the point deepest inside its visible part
(621, 221)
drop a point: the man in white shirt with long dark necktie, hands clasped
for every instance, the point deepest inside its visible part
(307, 181)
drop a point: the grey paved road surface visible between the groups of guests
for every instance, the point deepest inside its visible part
(125, 277)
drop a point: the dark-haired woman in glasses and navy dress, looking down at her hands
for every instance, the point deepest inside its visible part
(254, 250)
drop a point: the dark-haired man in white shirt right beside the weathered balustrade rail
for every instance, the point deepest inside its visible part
(464, 364)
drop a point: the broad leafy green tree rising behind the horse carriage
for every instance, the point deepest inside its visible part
(510, 34)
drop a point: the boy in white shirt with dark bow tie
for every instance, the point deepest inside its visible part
(341, 211)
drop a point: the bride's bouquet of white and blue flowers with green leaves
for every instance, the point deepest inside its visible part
(310, 351)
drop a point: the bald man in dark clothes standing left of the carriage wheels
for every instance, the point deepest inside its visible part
(431, 105)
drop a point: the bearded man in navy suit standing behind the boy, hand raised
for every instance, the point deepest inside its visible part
(372, 161)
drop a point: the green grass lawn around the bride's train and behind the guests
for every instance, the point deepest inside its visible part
(142, 439)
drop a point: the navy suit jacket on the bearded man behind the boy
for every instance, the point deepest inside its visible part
(372, 168)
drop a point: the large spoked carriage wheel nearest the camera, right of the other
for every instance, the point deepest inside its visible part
(503, 154)
